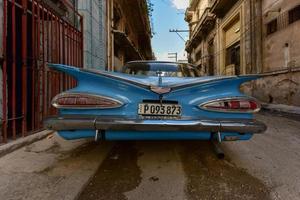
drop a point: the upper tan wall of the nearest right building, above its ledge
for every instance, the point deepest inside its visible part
(280, 49)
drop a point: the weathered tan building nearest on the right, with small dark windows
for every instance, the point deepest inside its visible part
(280, 53)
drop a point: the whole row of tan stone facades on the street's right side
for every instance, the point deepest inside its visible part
(236, 37)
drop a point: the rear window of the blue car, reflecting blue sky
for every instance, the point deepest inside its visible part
(165, 69)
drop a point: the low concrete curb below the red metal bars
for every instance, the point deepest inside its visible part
(21, 142)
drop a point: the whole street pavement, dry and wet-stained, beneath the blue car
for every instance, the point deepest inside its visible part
(265, 167)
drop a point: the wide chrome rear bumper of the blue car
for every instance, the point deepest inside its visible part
(121, 123)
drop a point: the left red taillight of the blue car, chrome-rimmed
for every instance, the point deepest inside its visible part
(84, 101)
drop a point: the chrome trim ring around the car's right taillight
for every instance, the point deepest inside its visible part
(202, 105)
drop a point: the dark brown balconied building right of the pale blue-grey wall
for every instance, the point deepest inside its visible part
(129, 32)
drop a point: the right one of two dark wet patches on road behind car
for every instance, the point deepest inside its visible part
(210, 178)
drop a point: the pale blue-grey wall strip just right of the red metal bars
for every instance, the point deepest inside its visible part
(95, 51)
